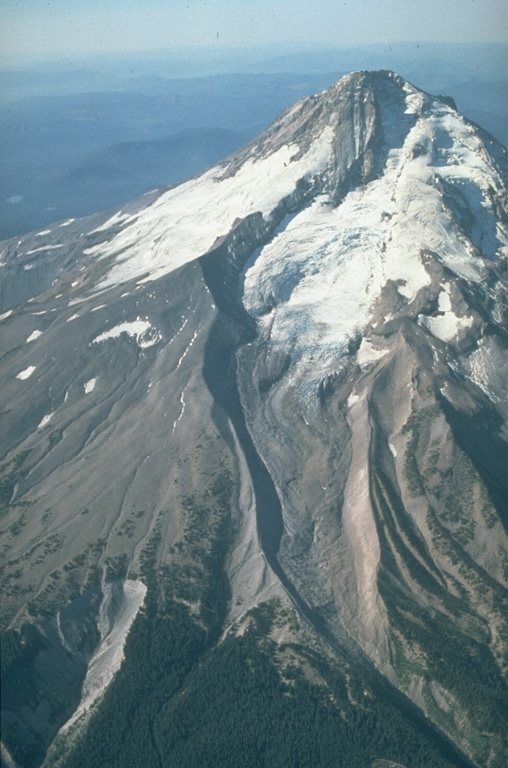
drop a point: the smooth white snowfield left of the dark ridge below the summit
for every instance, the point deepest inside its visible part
(185, 222)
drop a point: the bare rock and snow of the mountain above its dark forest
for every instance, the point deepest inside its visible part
(321, 320)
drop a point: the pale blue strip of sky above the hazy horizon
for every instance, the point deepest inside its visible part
(78, 26)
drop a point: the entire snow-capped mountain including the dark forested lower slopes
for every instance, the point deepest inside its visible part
(254, 455)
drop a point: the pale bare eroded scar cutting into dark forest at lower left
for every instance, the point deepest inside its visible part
(119, 608)
